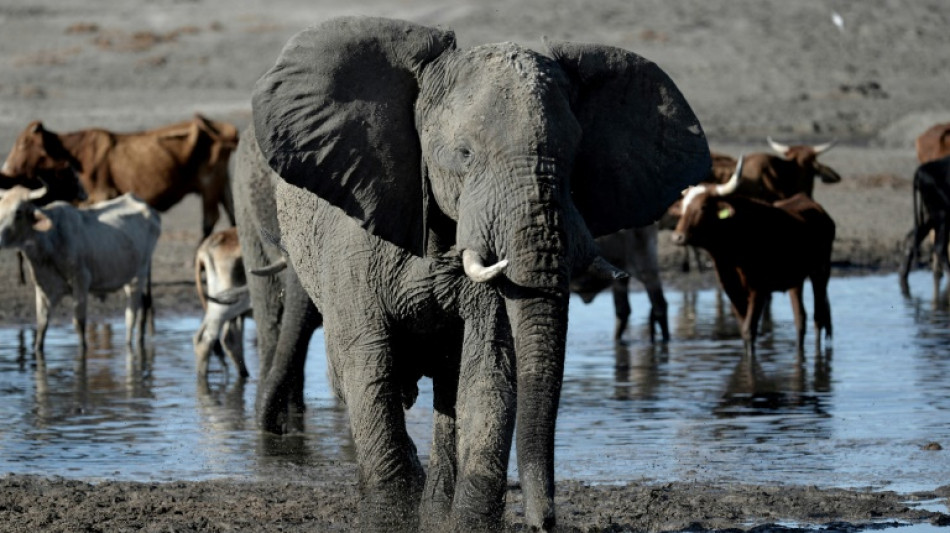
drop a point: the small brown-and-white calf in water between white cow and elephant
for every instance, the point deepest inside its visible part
(222, 328)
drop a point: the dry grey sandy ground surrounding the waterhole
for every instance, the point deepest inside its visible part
(750, 68)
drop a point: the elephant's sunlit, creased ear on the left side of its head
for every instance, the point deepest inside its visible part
(335, 116)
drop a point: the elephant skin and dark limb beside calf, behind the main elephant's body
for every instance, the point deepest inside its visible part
(284, 314)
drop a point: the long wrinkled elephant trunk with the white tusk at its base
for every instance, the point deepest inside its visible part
(532, 242)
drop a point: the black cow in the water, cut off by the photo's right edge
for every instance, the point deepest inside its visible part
(931, 212)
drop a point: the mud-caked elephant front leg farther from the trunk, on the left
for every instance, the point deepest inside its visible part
(390, 476)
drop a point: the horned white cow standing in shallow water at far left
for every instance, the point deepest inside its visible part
(81, 251)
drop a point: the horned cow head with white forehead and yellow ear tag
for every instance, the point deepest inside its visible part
(702, 209)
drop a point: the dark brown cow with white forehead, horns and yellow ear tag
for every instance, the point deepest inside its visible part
(758, 248)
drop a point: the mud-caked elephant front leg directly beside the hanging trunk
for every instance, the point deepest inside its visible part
(485, 422)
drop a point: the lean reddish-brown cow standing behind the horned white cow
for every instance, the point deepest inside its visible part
(160, 166)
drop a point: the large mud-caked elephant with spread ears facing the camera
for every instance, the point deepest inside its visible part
(514, 159)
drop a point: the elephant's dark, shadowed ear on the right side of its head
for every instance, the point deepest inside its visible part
(641, 145)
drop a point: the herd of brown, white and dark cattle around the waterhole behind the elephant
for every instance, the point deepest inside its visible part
(83, 209)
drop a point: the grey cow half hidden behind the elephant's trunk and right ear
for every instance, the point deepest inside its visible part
(635, 252)
